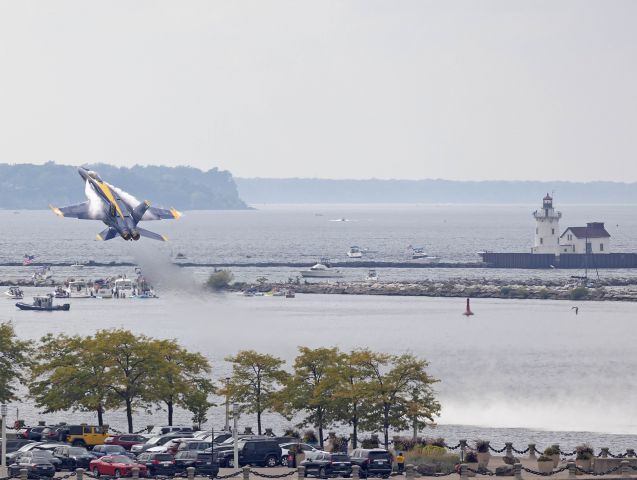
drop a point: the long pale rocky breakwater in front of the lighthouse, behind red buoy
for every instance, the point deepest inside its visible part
(463, 288)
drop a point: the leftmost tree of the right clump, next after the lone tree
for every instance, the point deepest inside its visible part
(311, 387)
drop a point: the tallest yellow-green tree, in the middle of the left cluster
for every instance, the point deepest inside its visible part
(132, 362)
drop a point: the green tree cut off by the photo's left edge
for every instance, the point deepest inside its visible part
(14, 360)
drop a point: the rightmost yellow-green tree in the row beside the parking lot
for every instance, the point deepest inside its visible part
(396, 383)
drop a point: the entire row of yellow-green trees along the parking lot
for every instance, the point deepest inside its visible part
(116, 369)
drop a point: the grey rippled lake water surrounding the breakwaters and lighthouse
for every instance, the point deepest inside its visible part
(516, 371)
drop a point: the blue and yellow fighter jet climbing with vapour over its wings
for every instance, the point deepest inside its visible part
(121, 215)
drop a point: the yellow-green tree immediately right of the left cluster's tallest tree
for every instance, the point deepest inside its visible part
(177, 372)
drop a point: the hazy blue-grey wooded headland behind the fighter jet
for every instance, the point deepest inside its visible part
(27, 186)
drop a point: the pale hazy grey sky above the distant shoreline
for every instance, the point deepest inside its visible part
(533, 90)
